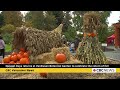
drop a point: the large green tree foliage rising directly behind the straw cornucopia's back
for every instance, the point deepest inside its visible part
(40, 20)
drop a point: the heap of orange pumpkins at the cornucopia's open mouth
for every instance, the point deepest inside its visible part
(21, 57)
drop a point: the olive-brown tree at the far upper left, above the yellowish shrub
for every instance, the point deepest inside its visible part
(12, 17)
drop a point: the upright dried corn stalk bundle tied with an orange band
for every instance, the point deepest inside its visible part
(89, 50)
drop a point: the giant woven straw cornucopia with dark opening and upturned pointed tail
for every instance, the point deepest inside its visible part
(37, 41)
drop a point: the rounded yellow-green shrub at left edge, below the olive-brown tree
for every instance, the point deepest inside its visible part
(8, 28)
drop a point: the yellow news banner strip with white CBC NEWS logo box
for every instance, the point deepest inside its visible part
(60, 70)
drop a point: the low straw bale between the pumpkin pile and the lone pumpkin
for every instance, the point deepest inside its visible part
(42, 58)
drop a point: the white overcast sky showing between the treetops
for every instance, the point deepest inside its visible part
(114, 17)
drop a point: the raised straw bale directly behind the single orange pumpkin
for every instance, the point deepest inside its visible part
(64, 50)
